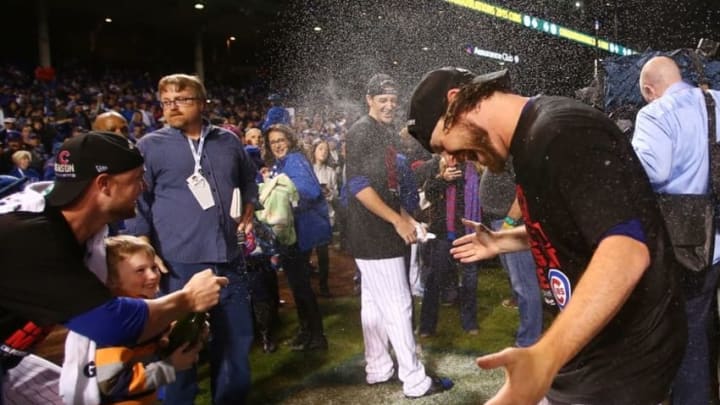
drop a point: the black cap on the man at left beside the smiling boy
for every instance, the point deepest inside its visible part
(83, 157)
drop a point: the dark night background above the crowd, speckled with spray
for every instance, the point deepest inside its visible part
(276, 41)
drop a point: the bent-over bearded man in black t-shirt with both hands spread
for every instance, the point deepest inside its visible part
(595, 231)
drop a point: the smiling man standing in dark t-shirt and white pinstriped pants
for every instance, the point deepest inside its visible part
(378, 230)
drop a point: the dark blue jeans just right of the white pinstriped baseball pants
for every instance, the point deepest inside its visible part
(439, 261)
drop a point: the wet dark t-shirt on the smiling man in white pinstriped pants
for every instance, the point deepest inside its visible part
(369, 236)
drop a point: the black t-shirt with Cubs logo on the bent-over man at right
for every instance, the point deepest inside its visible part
(577, 177)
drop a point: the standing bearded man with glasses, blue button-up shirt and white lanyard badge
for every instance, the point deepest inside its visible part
(191, 170)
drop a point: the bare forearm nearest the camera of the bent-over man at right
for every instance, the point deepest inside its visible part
(615, 269)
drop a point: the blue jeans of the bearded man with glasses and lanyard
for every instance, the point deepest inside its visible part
(231, 336)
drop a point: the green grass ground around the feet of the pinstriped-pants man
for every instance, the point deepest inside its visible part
(337, 376)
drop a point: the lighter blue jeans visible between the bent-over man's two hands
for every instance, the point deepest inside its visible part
(523, 280)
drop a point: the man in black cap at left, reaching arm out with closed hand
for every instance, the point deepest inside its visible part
(42, 257)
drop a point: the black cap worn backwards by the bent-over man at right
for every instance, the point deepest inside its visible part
(429, 102)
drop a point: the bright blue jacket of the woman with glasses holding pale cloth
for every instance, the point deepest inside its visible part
(312, 221)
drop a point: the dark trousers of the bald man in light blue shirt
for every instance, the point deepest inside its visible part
(696, 380)
